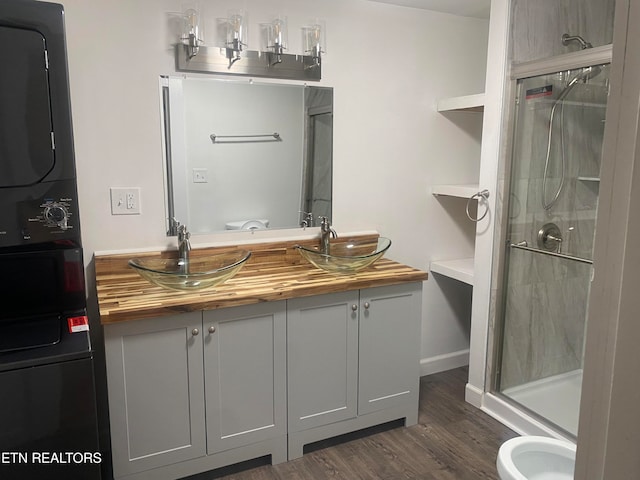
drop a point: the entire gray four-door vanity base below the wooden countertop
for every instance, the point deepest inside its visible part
(196, 391)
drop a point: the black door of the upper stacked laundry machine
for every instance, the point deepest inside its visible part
(26, 152)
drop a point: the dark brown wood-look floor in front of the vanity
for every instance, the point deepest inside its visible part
(452, 441)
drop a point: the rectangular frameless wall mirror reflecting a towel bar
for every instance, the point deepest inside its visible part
(245, 154)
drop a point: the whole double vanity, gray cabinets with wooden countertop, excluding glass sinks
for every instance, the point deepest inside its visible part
(281, 355)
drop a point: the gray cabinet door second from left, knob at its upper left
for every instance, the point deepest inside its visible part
(245, 374)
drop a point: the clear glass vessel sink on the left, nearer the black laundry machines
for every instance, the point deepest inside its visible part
(197, 274)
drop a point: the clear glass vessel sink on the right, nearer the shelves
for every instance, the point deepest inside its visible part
(347, 257)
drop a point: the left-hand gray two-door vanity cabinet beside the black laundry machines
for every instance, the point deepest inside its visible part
(195, 391)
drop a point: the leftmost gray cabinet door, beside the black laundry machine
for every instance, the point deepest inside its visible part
(156, 392)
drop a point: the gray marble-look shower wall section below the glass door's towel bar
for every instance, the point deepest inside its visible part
(546, 307)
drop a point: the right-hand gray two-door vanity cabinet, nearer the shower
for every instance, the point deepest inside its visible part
(353, 361)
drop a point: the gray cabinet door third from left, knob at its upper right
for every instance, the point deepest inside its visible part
(322, 350)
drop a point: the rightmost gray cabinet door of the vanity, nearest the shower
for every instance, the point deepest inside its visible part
(390, 322)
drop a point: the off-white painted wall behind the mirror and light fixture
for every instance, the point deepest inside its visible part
(388, 65)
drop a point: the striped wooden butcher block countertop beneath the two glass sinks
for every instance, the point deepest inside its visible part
(275, 271)
